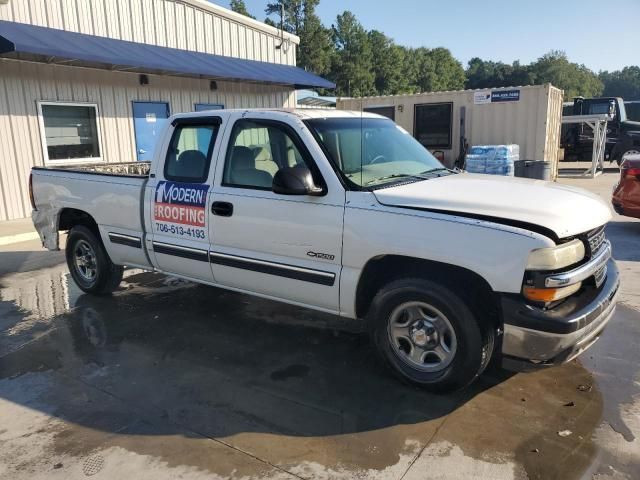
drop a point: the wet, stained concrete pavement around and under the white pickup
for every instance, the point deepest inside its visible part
(167, 379)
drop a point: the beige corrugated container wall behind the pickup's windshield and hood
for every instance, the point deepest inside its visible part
(532, 122)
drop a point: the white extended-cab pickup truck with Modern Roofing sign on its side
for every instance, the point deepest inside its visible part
(346, 213)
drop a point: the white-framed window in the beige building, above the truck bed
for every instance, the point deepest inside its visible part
(70, 132)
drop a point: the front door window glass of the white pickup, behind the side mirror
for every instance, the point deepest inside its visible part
(257, 150)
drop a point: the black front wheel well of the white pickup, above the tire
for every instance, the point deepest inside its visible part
(380, 271)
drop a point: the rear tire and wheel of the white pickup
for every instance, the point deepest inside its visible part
(89, 264)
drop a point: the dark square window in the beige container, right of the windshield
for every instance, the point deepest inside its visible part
(432, 124)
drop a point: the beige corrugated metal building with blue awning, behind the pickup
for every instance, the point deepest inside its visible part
(94, 80)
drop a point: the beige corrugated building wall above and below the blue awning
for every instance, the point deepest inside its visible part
(186, 24)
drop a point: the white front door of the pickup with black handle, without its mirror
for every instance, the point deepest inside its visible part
(288, 247)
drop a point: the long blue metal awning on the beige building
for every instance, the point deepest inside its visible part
(33, 43)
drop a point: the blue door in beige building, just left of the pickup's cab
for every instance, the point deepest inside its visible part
(149, 119)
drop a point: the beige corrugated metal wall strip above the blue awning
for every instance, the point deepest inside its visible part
(194, 25)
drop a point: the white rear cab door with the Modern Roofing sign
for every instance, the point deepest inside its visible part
(179, 197)
